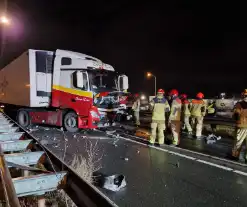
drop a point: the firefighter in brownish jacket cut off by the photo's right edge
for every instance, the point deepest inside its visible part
(240, 115)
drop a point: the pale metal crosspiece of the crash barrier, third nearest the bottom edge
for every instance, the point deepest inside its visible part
(17, 145)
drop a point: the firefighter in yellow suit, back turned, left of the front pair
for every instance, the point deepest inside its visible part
(159, 106)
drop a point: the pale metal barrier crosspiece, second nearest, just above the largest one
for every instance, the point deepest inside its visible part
(26, 158)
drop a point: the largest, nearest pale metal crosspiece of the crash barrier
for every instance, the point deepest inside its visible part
(38, 184)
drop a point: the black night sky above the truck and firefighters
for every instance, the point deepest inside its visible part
(189, 45)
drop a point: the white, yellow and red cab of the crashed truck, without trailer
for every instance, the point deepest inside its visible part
(85, 86)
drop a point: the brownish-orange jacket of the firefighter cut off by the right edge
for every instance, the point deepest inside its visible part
(240, 114)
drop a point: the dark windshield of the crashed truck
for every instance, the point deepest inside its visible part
(103, 80)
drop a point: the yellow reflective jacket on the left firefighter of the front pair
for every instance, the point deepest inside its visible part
(159, 106)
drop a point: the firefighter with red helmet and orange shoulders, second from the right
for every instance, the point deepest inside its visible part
(198, 111)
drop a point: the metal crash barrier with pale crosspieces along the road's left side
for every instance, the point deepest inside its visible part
(42, 171)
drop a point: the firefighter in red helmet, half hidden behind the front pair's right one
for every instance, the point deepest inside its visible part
(186, 113)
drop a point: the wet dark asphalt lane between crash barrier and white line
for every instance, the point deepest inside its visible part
(154, 177)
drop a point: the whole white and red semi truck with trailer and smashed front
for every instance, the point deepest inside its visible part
(61, 88)
